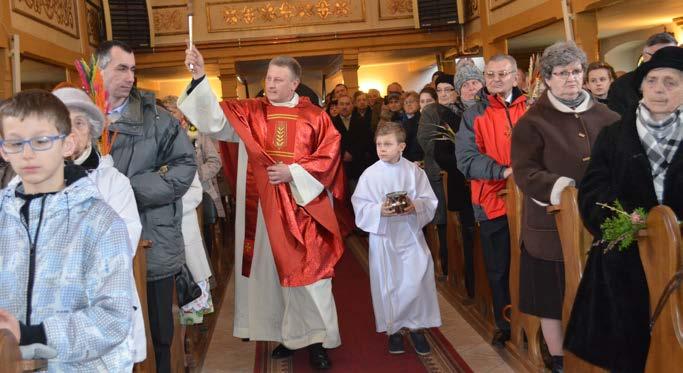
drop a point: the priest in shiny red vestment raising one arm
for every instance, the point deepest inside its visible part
(287, 239)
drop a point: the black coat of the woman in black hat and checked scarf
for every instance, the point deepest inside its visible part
(609, 320)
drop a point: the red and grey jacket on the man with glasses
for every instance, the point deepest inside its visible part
(483, 145)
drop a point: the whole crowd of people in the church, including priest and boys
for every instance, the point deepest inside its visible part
(74, 206)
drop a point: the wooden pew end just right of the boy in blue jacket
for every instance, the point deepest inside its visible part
(140, 274)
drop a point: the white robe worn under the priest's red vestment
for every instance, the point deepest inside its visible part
(264, 310)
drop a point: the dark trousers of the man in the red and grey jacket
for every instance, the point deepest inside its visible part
(495, 242)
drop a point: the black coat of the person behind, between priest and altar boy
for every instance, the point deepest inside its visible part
(358, 141)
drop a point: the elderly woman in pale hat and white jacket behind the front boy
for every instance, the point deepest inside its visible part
(86, 125)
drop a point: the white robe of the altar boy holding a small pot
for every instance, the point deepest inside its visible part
(401, 266)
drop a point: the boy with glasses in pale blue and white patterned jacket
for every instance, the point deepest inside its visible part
(65, 284)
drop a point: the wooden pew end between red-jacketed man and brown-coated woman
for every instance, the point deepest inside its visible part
(521, 324)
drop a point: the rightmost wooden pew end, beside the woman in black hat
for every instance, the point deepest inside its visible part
(662, 256)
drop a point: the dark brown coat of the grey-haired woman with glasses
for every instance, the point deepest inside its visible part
(548, 144)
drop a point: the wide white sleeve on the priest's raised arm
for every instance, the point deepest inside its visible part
(201, 107)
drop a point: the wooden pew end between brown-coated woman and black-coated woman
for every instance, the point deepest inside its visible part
(576, 241)
